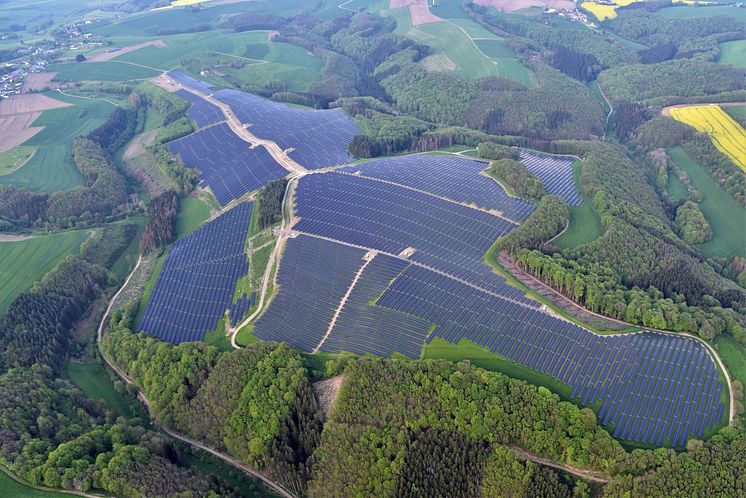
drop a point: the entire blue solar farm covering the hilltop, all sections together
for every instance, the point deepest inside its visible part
(385, 256)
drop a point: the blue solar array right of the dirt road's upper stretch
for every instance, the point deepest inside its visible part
(319, 137)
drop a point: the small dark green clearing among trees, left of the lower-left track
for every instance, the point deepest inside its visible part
(93, 379)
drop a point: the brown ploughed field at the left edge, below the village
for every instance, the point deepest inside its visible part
(16, 115)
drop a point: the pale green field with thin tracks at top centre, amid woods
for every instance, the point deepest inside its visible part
(455, 38)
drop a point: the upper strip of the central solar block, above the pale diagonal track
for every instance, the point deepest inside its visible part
(455, 177)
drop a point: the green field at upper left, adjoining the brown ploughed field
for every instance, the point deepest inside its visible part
(51, 168)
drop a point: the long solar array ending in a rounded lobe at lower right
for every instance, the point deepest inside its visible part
(653, 387)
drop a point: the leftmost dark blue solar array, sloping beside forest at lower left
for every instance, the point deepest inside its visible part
(196, 284)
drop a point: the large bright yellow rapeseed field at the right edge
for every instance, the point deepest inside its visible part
(725, 132)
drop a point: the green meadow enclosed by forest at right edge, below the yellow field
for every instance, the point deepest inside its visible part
(726, 216)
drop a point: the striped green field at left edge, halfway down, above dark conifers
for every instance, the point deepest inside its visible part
(25, 262)
